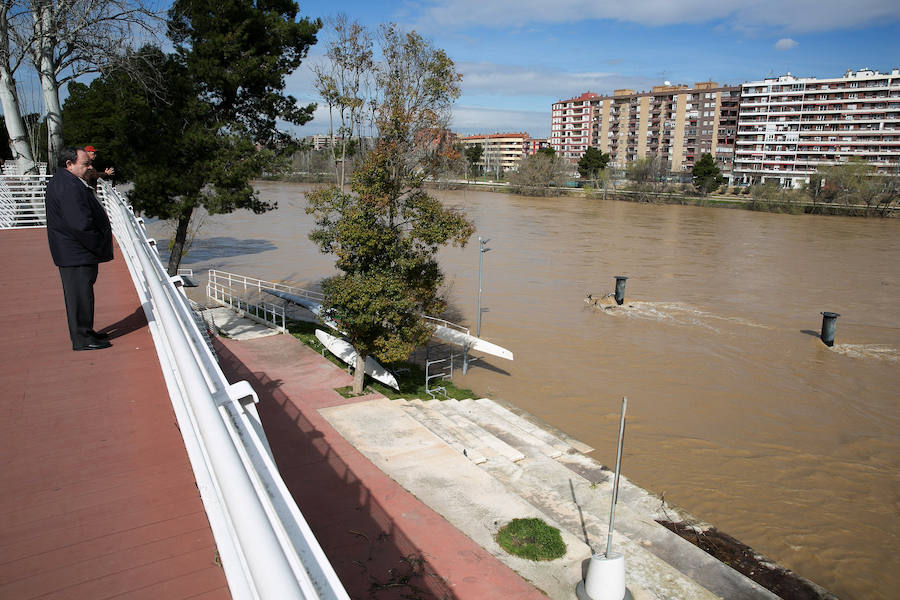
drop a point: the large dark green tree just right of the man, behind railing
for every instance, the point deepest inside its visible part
(193, 142)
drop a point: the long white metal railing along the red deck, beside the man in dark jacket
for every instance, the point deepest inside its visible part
(266, 547)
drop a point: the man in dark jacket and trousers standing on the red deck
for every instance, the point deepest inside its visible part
(80, 238)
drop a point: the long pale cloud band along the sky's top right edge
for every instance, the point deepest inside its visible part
(755, 15)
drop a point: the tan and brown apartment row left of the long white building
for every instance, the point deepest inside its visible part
(676, 122)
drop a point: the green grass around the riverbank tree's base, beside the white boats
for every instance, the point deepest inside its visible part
(410, 377)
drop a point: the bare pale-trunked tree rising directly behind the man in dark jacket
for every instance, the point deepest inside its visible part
(69, 38)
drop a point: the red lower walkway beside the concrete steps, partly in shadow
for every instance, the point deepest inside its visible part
(382, 542)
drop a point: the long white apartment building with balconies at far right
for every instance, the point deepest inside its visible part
(788, 126)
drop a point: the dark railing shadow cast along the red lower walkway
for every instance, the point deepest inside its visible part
(372, 557)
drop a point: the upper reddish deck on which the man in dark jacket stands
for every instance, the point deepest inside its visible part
(97, 497)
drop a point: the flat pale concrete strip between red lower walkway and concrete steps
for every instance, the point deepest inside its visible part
(470, 498)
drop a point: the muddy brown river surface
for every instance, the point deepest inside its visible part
(737, 412)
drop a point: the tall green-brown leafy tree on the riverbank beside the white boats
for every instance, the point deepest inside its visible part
(386, 233)
